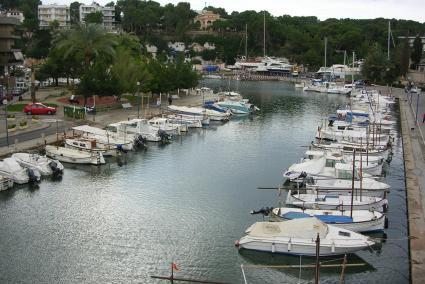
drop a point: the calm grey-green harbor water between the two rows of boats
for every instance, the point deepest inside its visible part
(187, 202)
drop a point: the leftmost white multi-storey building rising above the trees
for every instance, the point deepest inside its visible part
(49, 13)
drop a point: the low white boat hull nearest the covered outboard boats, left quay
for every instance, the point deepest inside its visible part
(74, 156)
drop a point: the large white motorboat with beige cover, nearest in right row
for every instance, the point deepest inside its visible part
(298, 237)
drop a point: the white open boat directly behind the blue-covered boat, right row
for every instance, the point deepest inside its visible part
(316, 200)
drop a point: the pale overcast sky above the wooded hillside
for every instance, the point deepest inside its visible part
(323, 9)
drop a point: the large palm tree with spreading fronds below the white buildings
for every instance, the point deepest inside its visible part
(87, 43)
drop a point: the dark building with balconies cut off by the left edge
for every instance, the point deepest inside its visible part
(9, 56)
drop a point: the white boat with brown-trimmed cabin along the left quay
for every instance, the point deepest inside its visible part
(92, 145)
